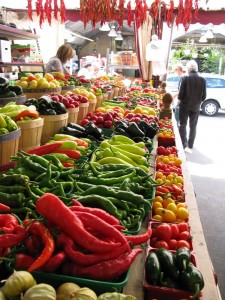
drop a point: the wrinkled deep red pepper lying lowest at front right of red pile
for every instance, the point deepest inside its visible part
(109, 269)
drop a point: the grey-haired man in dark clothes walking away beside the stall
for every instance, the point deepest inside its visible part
(191, 93)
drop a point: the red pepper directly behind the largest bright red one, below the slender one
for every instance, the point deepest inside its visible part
(97, 224)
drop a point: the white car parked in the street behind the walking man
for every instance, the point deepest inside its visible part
(215, 98)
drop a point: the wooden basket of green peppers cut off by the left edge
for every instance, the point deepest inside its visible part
(9, 144)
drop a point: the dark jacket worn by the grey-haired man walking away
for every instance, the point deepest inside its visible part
(192, 92)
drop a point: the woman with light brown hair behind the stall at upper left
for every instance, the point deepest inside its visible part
(57, 63)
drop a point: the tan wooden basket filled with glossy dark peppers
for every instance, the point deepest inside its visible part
(52, 125)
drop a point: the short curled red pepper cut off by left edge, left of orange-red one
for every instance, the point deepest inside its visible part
(14, 238)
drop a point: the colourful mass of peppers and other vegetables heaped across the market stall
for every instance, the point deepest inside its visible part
(71, 210)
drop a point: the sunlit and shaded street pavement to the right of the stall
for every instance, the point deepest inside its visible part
(206, 166)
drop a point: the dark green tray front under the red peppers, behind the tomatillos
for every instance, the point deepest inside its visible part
(99, 287)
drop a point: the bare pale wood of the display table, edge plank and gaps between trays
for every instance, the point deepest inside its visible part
(210, 291)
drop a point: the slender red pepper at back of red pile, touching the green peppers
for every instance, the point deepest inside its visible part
(97, 212)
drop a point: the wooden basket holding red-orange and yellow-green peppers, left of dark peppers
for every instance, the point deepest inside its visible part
(31, 132)
